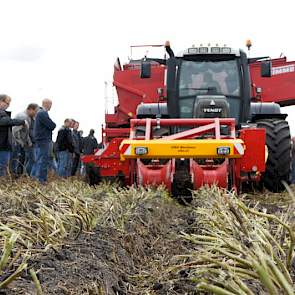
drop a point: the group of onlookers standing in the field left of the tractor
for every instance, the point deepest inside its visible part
(27, 148)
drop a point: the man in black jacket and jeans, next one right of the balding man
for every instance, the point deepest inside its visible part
(65, 149)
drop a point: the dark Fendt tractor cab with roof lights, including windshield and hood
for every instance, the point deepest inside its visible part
(209, 82)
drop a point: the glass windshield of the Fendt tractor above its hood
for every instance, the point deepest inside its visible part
(209, 77)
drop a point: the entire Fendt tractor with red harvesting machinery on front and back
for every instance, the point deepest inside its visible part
(209, 115)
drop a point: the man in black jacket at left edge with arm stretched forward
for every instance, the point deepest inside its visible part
(6, 124)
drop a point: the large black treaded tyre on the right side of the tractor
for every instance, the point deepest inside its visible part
(278, 165)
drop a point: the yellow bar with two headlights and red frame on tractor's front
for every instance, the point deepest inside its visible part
(183, 144)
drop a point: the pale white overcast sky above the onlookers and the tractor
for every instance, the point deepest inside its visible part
(65, 50)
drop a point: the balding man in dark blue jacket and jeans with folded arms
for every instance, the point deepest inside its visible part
(42, 135)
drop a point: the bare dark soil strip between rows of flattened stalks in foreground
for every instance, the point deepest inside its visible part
(132, 260)
